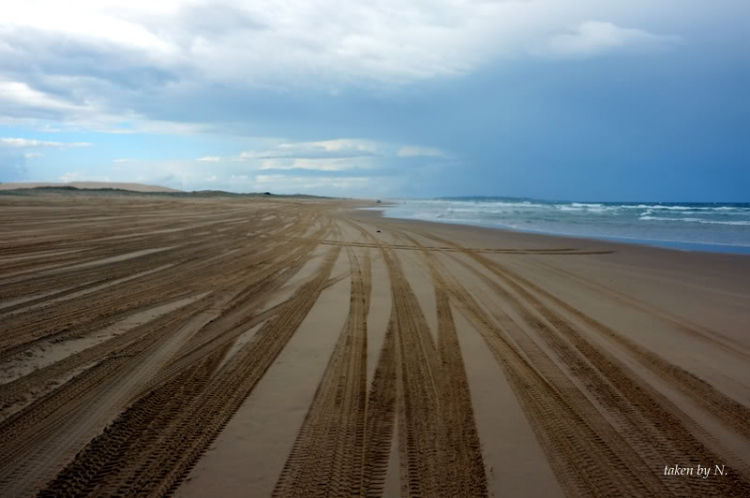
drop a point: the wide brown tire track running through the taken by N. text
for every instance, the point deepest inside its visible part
(651, 424)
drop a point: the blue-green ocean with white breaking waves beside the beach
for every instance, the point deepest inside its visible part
(718, 227)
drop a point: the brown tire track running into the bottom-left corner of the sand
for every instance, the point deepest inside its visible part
(40, 439)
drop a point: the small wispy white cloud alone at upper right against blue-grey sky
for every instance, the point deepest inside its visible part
(597, 37)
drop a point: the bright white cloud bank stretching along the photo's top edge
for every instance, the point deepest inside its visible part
(386, 41)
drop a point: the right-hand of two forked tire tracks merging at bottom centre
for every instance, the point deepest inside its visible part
(440, 448)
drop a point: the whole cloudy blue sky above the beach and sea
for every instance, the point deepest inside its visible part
(576, 100)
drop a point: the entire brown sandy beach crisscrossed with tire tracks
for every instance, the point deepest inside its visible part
(234, 347)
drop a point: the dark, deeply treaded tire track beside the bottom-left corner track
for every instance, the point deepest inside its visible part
(157, 467)
